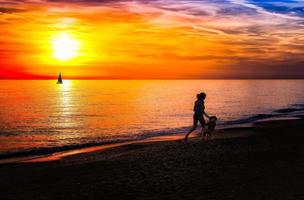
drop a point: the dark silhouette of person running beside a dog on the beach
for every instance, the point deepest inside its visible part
(199, 112)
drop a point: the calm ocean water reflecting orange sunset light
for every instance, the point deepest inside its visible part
(40, 116)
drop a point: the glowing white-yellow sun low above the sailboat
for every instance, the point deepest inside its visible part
(65, 46)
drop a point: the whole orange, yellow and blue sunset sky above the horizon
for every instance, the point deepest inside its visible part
(151, 39)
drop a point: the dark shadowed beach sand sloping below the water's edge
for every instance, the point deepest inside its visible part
(265, 161)
